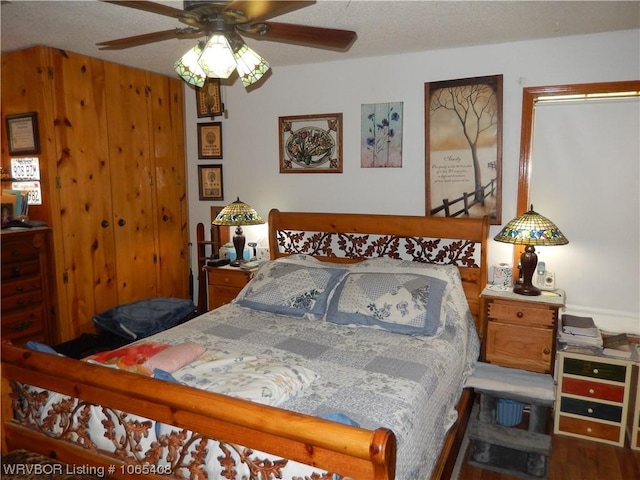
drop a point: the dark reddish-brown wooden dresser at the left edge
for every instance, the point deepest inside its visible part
(27, 289)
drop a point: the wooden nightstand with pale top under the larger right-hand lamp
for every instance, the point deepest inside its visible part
(520, 330)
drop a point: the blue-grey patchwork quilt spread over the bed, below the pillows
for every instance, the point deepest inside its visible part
(409, 384)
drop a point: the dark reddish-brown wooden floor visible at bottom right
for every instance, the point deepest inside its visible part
(575, 459)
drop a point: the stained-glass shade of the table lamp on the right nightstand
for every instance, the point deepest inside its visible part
(531, 228)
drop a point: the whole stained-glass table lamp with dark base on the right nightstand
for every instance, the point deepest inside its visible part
(530, 229)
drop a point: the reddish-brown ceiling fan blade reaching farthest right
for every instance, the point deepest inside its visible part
(301, 34)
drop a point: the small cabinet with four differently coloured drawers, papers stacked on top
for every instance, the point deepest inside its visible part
(594, 398)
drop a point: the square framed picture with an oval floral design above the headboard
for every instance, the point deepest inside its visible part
(311, 143)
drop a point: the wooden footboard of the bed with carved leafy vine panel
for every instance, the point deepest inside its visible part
(349, 451)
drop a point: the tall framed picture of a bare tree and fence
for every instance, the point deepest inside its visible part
(463, 148)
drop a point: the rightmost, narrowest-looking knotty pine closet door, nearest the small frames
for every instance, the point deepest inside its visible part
(170, 199)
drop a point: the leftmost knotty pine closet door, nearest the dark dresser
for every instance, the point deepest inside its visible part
(87, 276)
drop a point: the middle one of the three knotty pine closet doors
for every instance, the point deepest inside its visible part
(127, 95)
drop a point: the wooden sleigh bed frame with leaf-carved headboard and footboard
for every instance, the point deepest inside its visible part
(329, 446)
